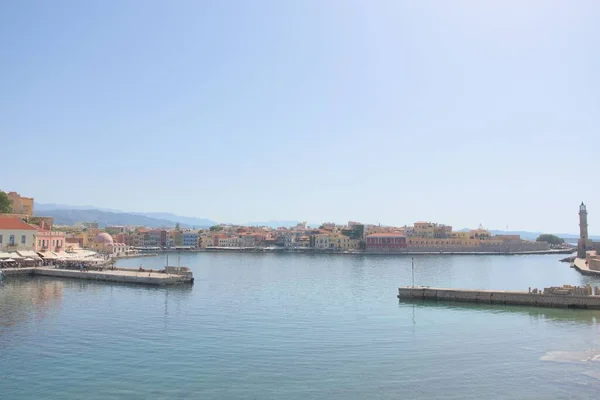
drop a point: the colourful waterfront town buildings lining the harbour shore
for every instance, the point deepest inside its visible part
(21, 229)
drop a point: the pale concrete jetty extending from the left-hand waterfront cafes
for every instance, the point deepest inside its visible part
(172, 276)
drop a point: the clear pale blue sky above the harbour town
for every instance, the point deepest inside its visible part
(462, 112)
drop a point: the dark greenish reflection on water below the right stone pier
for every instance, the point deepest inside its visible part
(585, 317)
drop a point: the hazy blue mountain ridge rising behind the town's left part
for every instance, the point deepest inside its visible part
(70, 215)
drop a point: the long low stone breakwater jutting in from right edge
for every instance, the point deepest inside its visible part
(528, 298)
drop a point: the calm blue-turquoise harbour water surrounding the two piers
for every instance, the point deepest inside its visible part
(266, 326)
